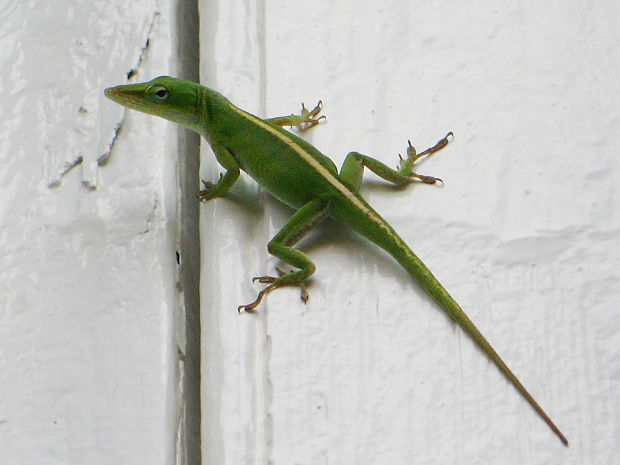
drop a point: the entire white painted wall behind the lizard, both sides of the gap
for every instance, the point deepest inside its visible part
(524, 234)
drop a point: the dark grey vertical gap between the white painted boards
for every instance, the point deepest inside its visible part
(187, 51)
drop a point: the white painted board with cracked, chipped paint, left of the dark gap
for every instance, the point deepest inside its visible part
(90, 322)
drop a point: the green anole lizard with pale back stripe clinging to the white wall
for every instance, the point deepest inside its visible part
(299, 175)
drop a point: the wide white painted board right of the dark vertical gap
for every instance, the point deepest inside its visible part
(524, 234)
